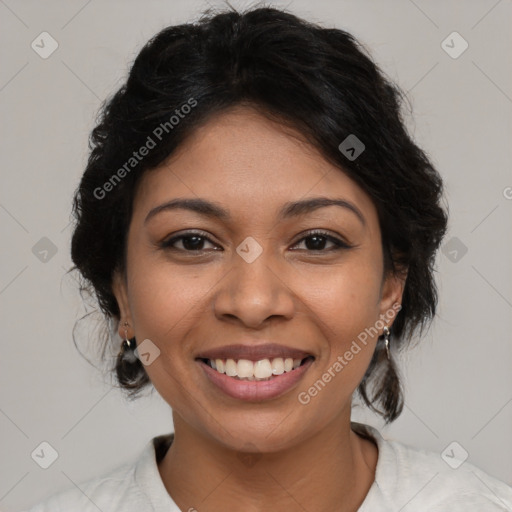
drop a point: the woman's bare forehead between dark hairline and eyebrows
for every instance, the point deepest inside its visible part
(251, 165)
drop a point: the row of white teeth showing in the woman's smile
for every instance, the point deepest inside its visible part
(264, 369)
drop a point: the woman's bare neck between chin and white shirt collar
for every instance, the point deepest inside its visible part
(333, 470)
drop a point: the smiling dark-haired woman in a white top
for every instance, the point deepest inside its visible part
(262, 230)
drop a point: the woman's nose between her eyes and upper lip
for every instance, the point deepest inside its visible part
(253, 292)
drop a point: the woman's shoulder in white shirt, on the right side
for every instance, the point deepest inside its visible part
(408, 478)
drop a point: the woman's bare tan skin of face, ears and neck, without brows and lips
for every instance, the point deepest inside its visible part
(317, 300)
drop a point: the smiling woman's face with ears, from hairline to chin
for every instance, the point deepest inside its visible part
(252, 278)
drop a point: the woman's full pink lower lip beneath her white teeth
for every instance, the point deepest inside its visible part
(255, 391)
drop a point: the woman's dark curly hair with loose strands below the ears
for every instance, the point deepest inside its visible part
(319, 81)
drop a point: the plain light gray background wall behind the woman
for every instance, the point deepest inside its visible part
(458, 381)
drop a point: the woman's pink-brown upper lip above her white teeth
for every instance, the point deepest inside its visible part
(253, 352)
